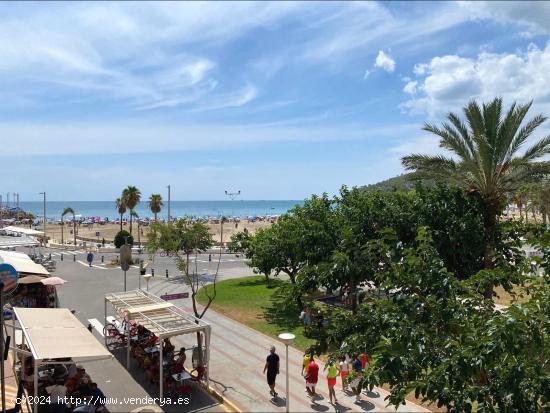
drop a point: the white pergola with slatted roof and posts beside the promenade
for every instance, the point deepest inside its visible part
(160, 317)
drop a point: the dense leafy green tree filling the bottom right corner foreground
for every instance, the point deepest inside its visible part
(436, 336)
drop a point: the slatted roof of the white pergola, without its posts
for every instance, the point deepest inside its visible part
(156, 315)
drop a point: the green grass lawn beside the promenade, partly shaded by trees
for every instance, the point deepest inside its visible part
(252, 302)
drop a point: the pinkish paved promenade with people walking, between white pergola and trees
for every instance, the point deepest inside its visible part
(238, 356)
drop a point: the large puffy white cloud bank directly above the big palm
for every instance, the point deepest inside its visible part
(448, 82)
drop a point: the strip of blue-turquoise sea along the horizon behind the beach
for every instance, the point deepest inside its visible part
(178, 209)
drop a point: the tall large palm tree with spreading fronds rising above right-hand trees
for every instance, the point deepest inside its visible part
(486, 158)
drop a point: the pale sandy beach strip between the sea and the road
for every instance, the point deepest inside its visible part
(108, 231)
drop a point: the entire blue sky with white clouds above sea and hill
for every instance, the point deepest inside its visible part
(277, 100)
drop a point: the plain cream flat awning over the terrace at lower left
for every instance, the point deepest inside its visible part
(53, 333)
